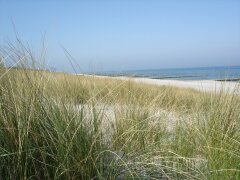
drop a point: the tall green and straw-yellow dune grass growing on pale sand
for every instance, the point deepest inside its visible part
(63, 126)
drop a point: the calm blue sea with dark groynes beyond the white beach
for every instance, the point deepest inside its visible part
(226, 73)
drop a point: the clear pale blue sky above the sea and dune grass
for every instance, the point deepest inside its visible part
(125, 35)
